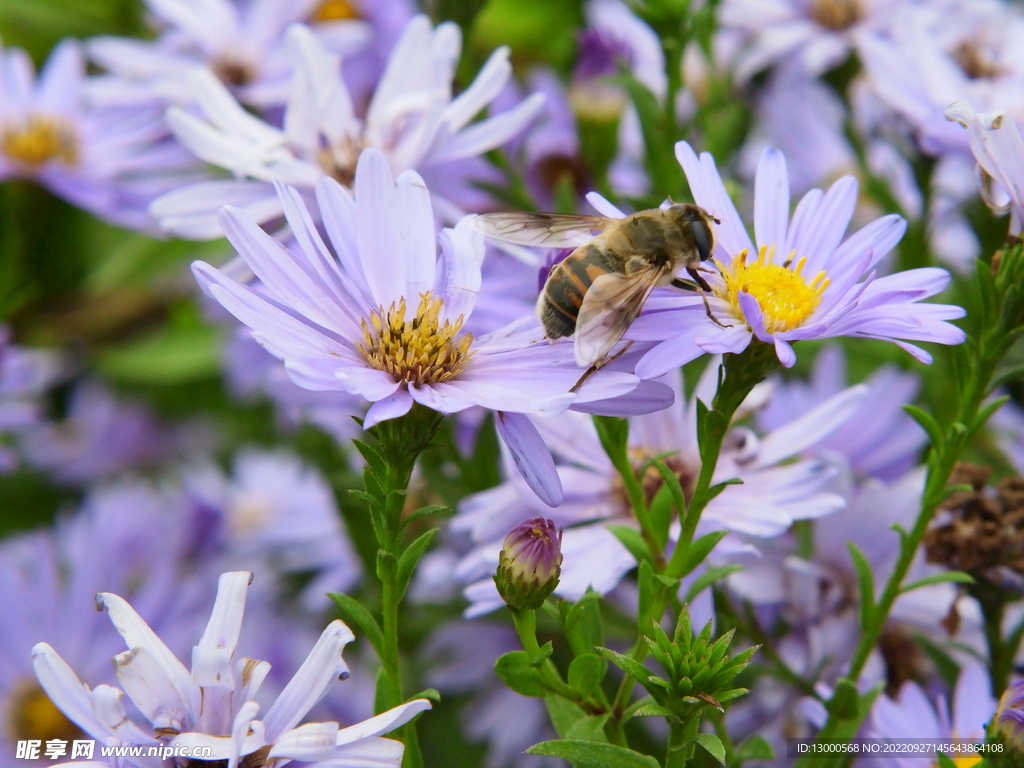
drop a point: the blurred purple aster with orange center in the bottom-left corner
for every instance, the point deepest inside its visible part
(131, 537)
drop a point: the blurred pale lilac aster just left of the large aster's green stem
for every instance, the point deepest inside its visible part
(277, 514)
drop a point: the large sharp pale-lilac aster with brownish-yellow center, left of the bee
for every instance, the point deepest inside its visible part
(385, 318)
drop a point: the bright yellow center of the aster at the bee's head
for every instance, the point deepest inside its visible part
(786, 298)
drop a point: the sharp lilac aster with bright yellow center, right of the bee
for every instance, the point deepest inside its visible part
(805, 282)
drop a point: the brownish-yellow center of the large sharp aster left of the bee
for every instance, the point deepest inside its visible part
(420, 351)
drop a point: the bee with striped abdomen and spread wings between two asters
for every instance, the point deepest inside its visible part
(601, 288)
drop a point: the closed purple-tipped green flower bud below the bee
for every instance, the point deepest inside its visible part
(530, 564)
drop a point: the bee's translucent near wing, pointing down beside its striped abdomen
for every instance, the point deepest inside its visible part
(611, 305)
